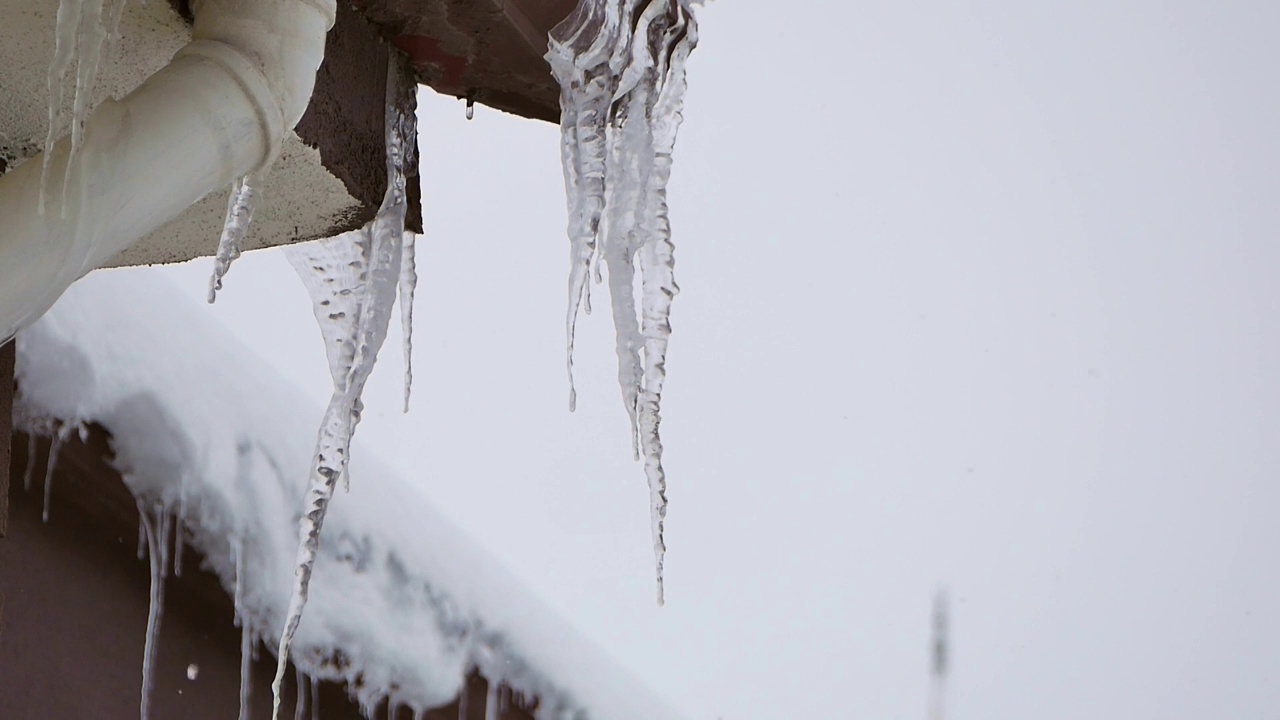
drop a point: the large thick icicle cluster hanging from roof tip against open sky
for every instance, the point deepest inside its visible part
(621, 69)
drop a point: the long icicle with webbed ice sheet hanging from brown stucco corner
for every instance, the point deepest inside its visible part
(353, 281)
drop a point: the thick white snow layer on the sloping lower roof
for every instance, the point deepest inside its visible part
(403, 605)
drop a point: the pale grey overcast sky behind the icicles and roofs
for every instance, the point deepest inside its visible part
(977, 295)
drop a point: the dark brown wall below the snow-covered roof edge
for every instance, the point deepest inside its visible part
(75, 609)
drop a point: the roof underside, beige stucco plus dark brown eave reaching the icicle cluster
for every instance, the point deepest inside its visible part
(331, 176)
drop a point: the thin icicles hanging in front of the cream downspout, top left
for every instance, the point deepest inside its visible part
(80, 33)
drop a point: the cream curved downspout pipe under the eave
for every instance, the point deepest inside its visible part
(220, 111)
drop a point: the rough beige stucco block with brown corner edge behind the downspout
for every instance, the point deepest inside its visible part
(301, 199)
